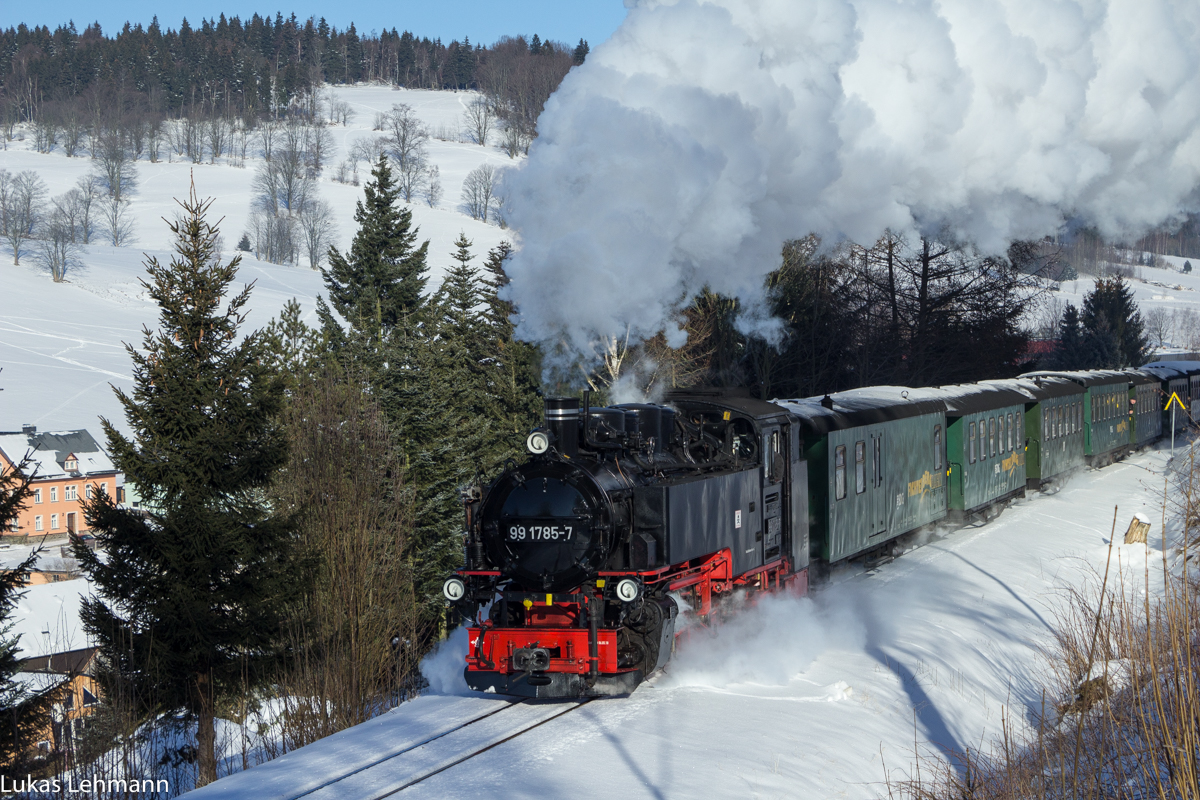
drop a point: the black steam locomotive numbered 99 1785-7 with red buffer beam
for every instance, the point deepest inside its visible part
(586, 551)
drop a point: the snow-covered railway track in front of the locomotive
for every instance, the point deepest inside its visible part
(418, 762)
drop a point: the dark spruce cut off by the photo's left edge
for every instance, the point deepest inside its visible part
(25, 715)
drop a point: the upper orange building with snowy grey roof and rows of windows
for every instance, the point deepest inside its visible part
(68, 468)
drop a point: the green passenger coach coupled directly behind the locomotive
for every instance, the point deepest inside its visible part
(883, 471)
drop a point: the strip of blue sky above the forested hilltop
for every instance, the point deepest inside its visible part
(483, 21)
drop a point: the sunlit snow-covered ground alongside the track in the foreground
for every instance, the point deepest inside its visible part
(823, 697)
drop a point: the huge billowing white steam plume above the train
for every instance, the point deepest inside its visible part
(706, 133)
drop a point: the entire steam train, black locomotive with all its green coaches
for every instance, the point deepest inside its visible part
(580, 561)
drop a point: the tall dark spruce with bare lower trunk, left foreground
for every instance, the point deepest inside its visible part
(193, 593)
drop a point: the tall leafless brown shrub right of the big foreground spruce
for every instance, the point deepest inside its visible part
(353, 639)
